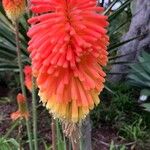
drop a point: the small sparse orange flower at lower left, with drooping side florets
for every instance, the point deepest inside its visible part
(22, 112)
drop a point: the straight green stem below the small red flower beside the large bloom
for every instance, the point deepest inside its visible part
(34, 106)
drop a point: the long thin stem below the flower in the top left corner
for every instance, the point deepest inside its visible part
(22, 80)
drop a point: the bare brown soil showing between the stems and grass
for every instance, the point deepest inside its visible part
(101, 137)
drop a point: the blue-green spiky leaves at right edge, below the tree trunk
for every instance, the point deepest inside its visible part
(139, 76)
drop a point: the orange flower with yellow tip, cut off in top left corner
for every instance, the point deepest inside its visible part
(14, 8)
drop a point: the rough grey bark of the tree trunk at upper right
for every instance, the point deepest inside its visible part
(140, 25)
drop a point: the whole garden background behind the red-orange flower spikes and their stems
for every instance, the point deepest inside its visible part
(122, 119)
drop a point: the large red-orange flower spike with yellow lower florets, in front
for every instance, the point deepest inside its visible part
(68, 50)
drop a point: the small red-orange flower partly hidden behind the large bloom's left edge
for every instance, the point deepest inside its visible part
(28, 77)
